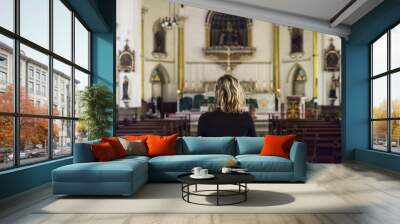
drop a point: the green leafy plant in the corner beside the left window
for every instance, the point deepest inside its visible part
(96, 103)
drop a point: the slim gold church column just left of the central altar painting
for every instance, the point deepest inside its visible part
(181, 56)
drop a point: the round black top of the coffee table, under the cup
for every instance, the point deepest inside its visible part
(220, 178)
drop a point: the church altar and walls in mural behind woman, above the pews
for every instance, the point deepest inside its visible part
(171, 56)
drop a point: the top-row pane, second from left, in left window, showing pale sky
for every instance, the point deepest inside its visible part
(35, 21)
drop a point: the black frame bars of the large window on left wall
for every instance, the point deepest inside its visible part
(16, 113)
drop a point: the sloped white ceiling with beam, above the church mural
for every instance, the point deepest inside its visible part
(313, 15)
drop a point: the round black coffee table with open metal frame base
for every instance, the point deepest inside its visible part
(238, 179)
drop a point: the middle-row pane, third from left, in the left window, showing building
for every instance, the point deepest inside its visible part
(62, 89)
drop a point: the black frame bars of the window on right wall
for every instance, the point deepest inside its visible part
(388, 74)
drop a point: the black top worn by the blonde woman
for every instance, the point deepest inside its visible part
(219, 124)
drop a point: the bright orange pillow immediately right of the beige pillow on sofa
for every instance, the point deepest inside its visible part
(161, 145)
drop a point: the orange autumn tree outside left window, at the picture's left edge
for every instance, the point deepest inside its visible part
(33, 131)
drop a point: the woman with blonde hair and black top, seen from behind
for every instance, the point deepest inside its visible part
(229, 119)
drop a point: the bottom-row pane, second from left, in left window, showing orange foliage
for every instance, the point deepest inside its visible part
(33, 139)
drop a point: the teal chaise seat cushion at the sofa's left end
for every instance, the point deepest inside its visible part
(112, 171)
